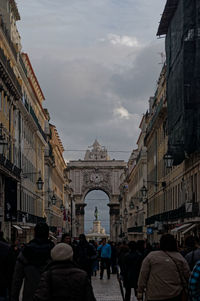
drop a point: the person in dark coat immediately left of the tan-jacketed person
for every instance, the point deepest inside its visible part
(131, 270)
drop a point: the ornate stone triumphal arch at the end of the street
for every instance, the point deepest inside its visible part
(96, 172)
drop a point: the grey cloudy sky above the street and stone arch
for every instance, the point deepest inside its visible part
(97, 62)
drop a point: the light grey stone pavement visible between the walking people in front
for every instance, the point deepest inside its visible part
(106, 290)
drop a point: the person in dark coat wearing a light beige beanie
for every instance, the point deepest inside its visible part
(63, 280)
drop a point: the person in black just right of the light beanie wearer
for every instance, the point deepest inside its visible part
(85, 255)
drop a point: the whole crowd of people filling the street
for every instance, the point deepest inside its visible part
(43, 271)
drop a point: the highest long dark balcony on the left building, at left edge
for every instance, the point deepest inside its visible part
(9, 76)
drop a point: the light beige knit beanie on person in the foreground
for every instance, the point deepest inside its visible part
(62, 252)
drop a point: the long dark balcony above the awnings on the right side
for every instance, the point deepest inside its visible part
(173, 215)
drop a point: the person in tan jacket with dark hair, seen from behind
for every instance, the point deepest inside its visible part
(164, 274)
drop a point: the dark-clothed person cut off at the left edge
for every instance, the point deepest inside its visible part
(7, 263)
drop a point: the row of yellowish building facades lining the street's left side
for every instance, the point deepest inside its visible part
(24, 138)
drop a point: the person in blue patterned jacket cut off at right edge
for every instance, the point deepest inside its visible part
(194, 283)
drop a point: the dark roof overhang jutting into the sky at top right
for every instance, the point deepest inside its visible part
(169, 11)
